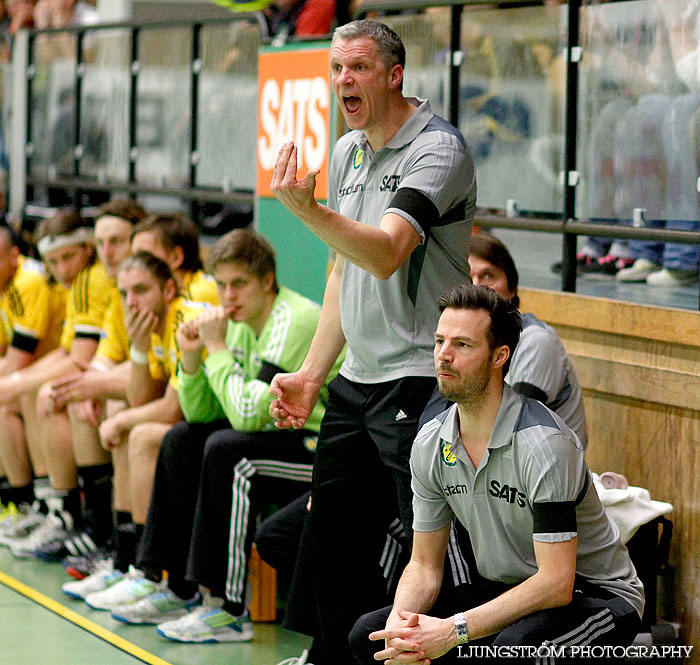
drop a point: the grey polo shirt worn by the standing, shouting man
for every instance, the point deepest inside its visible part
(426, 175)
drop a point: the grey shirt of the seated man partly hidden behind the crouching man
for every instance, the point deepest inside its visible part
(541, 361)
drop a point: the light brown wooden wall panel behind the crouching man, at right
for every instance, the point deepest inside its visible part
(639, 369)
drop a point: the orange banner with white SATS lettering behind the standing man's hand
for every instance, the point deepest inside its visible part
(294, 104)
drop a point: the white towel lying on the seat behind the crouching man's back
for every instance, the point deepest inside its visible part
(630, 508)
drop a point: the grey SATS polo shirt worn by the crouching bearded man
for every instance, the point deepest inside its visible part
(532, 484)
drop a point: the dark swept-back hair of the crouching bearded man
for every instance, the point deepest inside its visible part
(506, 323)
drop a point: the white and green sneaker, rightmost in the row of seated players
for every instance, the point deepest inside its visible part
(207, 624)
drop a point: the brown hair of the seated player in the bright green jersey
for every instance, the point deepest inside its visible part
(248, 248)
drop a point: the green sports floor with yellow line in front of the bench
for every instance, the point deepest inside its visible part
(31, 634)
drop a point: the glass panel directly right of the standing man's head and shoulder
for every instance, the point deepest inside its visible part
(511, 104)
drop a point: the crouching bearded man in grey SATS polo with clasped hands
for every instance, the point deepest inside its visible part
(553, 570)
